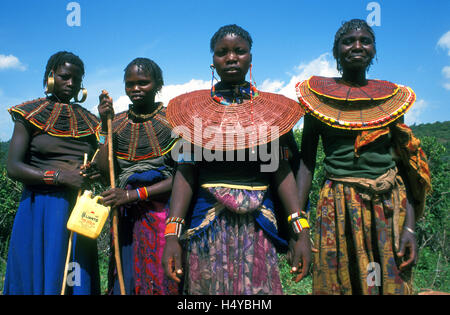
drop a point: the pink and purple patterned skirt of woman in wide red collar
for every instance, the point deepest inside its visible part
(232, 255)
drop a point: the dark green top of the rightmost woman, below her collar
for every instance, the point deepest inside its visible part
(374, 159)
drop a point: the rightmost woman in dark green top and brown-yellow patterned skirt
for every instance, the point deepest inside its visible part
(365, 216)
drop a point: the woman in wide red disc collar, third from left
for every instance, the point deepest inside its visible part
(230, 233)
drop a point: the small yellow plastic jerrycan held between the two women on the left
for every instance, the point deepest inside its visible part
(88, 216)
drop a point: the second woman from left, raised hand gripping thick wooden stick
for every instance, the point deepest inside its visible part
(142, 144)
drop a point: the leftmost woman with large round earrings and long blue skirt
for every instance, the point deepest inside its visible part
(50, 139)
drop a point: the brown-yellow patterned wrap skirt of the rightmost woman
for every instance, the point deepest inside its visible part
(357, 240)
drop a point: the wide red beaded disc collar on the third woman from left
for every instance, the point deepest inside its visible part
(205, 122)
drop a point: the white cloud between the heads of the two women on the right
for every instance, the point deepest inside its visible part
(324, 65)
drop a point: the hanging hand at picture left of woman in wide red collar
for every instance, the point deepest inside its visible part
(171, 259)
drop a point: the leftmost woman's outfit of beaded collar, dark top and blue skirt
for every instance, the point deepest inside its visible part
(39, 239)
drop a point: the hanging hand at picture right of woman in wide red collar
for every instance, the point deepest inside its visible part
(299, 255)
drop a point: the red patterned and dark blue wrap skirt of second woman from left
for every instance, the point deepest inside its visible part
(141, 241)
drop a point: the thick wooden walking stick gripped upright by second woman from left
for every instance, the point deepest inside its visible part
(115, 212)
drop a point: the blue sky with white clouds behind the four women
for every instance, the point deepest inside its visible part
(292, 41)
